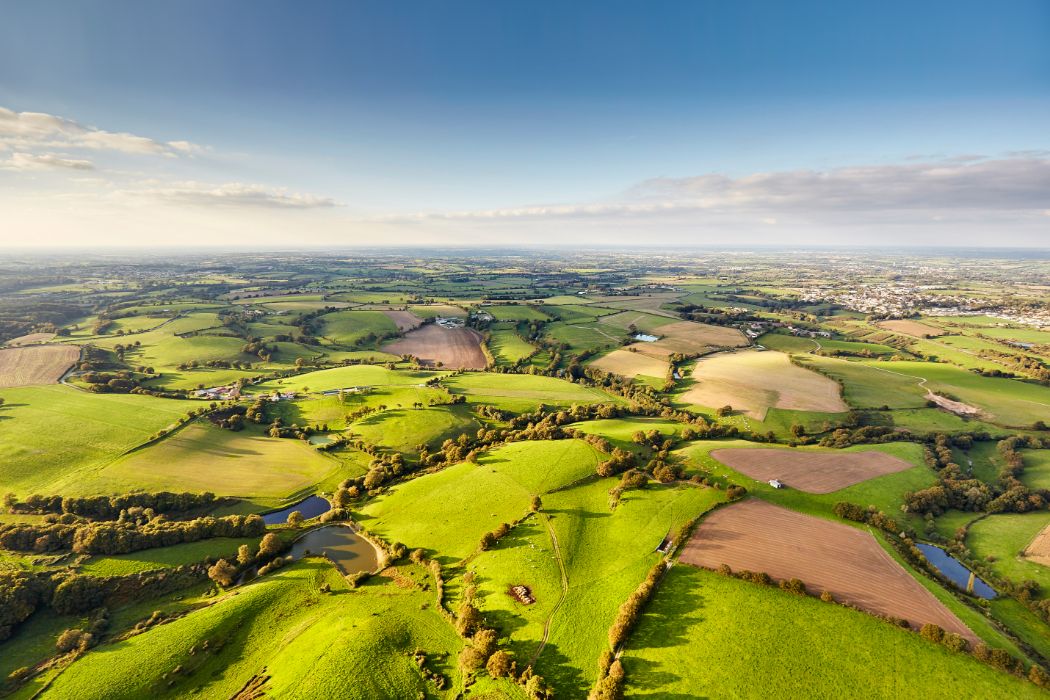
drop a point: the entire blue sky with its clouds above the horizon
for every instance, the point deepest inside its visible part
(549, 122)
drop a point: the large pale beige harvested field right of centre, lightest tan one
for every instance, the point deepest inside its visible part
(757, 381)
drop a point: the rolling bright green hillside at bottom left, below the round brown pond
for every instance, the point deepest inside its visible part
(354, 644)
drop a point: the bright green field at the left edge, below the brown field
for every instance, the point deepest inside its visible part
(53, 435)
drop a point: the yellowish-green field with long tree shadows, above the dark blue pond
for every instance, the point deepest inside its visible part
(204, 458)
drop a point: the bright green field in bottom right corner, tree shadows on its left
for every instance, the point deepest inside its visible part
(702, 638)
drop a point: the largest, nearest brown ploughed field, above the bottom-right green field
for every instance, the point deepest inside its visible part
(849, 563)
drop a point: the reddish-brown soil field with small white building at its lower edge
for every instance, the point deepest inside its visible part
(810, 472)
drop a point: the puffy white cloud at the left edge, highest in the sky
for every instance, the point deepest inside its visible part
(33, 131)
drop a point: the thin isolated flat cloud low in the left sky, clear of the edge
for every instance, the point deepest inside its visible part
(230, 195)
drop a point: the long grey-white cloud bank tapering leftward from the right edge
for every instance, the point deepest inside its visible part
(990, 186)
